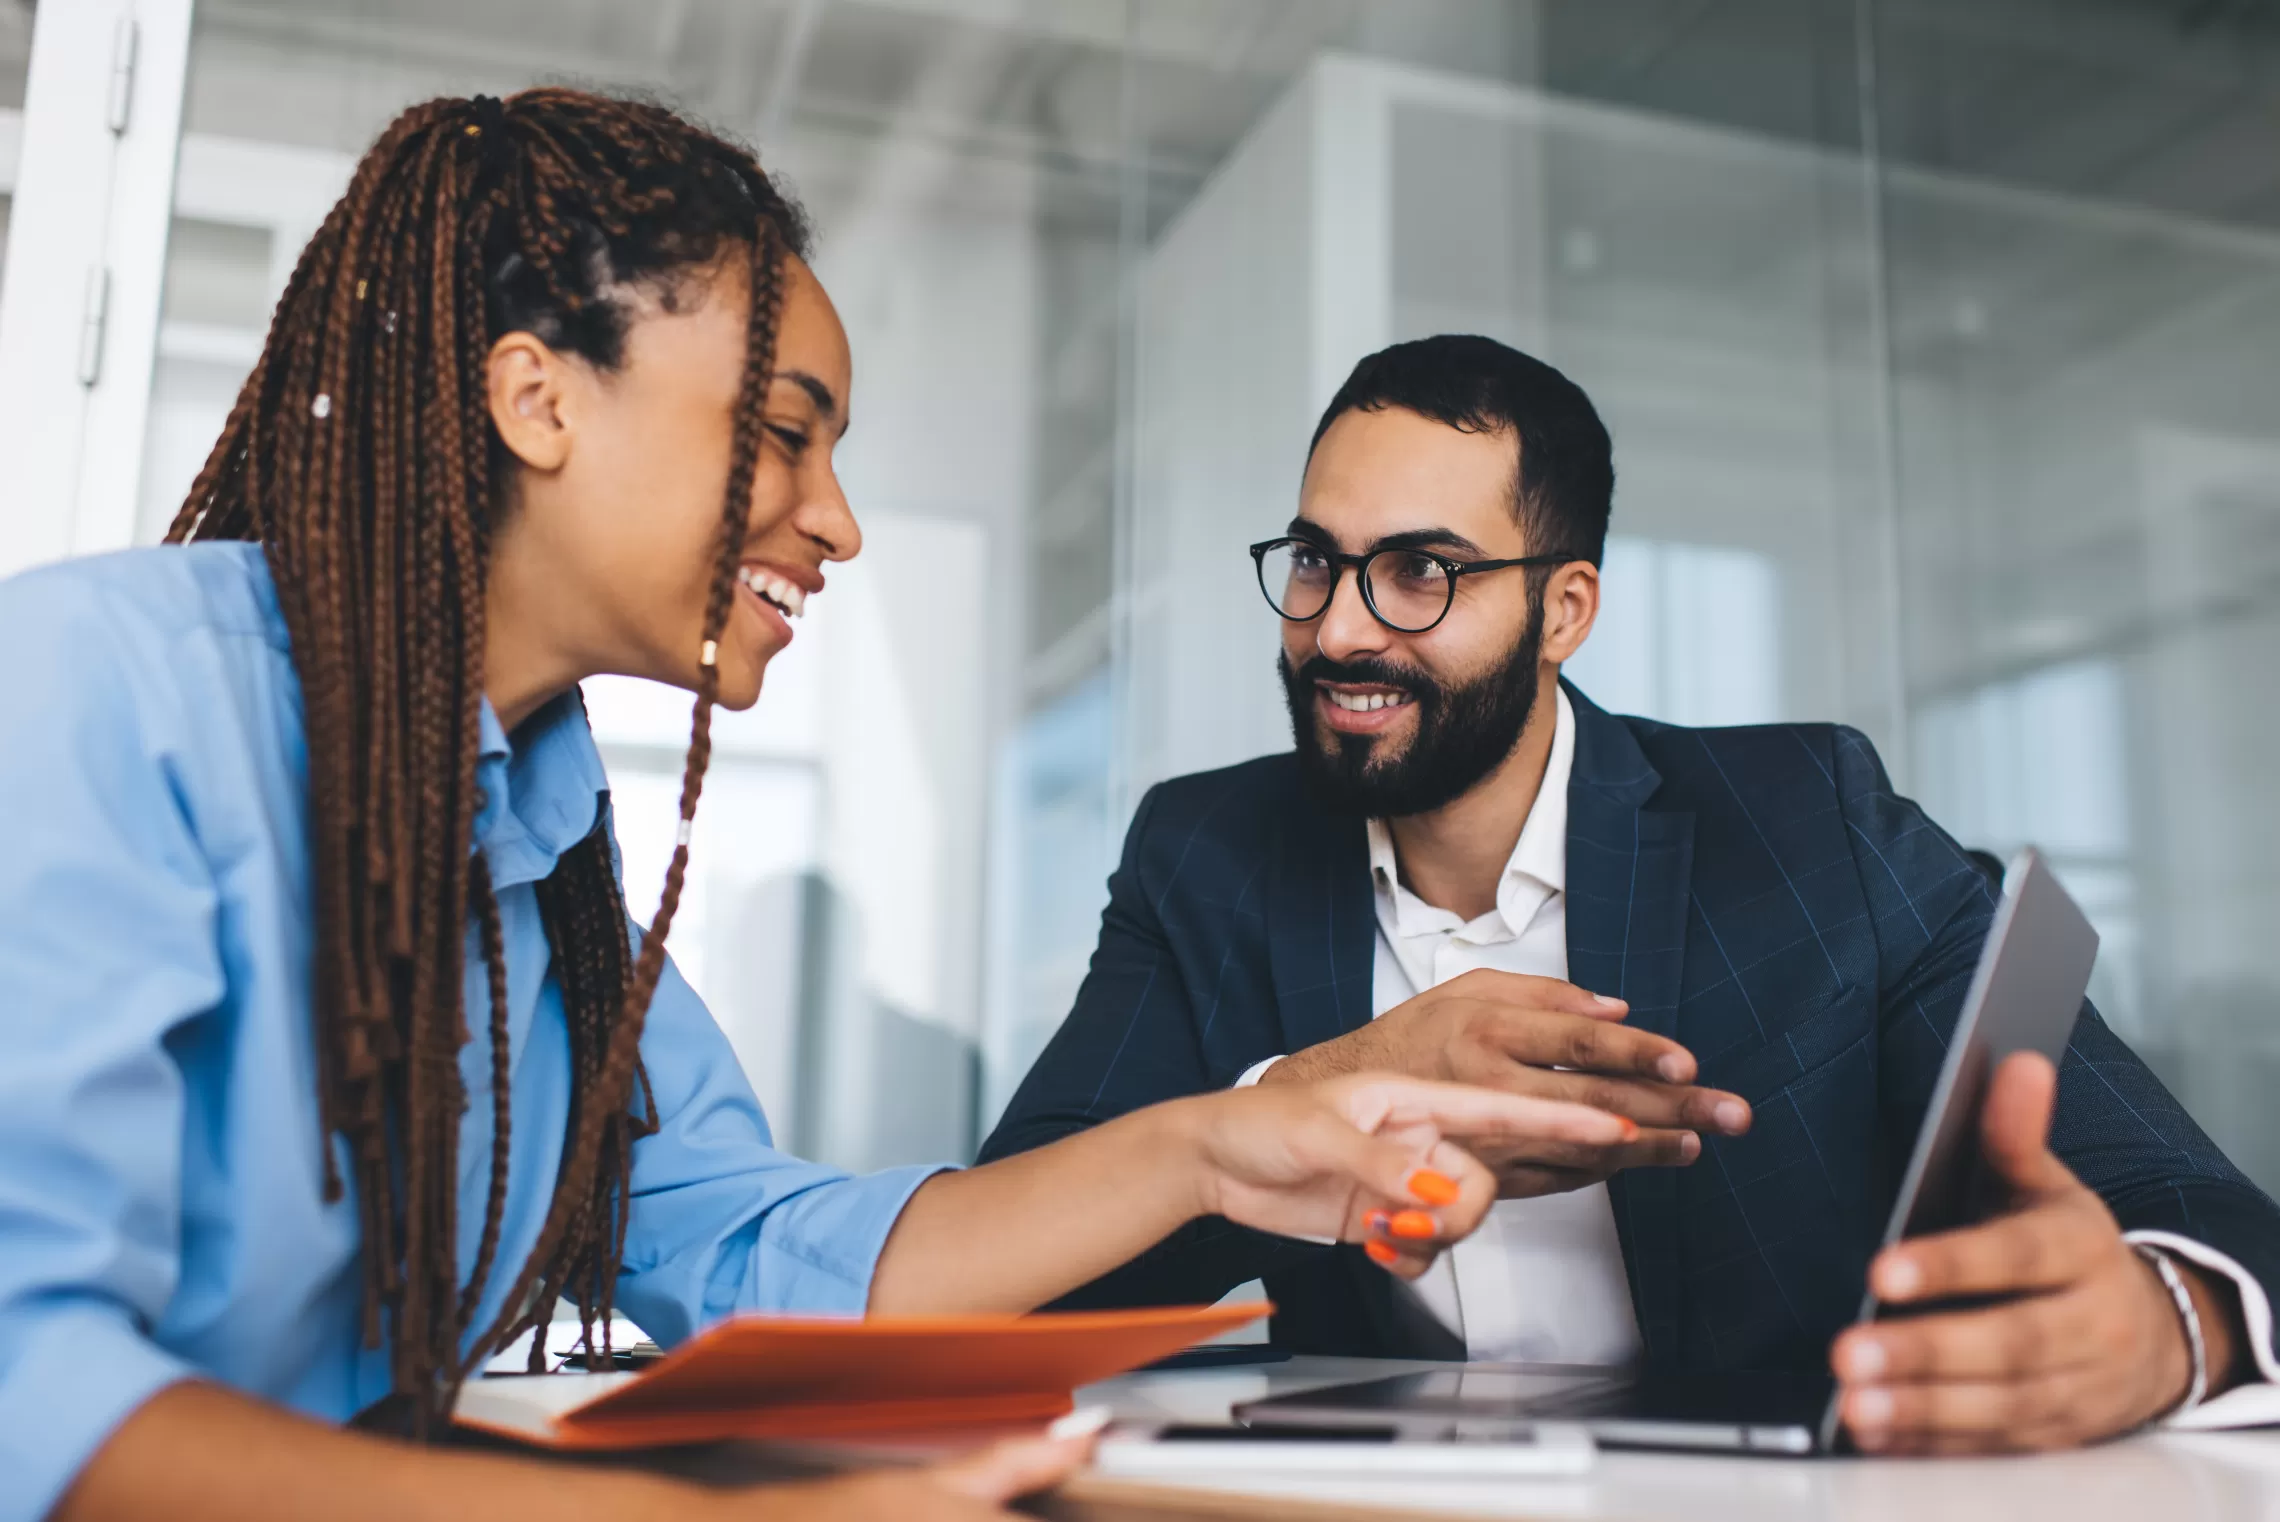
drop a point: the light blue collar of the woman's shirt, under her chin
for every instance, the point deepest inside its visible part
(541, 789)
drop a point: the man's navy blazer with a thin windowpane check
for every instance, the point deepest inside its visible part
(1757, 894)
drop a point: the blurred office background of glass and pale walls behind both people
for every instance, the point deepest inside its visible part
(1939, 338)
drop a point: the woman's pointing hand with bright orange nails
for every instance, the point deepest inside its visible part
(1371, 1159)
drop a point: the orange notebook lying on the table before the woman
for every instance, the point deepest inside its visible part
(774, 1377)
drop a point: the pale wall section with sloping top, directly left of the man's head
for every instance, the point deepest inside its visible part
(1232, 359)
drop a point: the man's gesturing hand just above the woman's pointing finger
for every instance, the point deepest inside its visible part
(1547, 1040)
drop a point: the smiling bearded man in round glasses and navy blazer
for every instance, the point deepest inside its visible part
(1741, 940)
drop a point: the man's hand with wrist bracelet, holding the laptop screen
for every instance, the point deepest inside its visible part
(2090, 1348)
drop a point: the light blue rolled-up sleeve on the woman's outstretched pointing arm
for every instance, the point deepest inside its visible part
(722, 1222)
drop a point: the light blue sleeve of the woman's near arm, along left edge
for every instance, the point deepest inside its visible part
(106, 954)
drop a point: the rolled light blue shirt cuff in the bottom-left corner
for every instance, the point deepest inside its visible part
(65, 1389)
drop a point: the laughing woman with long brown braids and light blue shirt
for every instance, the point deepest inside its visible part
(334, 1061)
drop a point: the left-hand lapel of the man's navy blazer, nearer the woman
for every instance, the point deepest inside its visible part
(1321, 928)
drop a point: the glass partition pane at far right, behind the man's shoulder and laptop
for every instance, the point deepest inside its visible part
(2085, 304)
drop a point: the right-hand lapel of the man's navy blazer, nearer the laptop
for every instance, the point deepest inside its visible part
(1629, 876)
